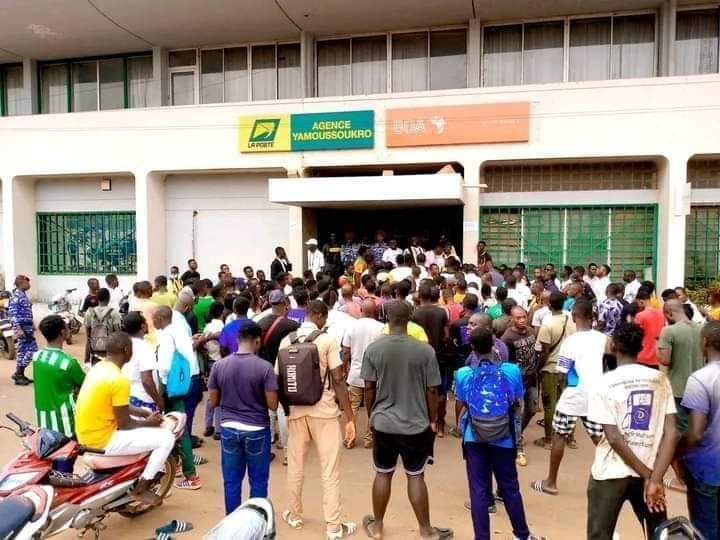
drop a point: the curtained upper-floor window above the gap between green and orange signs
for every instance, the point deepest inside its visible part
(418, 61)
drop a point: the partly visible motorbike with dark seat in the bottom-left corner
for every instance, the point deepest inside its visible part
(24, 513)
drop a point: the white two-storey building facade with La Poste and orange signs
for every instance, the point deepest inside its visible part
(133, 137)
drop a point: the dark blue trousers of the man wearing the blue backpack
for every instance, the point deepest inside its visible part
(482, 462)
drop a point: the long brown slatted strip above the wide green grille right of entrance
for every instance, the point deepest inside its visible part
(571, 176)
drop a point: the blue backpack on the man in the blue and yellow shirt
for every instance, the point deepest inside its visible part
(490, 403)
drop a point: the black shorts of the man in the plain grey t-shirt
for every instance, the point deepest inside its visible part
(415, 451)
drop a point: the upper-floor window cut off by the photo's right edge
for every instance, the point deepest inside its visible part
(696, 42)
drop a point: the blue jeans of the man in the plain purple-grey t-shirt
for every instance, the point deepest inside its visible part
(240, 450)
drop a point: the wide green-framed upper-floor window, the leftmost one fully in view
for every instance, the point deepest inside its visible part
(97, 84)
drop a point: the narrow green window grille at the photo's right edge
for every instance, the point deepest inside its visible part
(702, 245)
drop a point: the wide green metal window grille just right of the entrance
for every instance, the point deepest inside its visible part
(624, 237)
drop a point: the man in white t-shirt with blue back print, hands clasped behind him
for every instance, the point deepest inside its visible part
(635, 405)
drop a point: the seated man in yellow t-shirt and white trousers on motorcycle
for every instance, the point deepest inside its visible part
(103, 417)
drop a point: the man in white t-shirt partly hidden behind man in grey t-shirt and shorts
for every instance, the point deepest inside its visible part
(365, 330)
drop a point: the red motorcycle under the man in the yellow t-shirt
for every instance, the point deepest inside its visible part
(83, 501)
